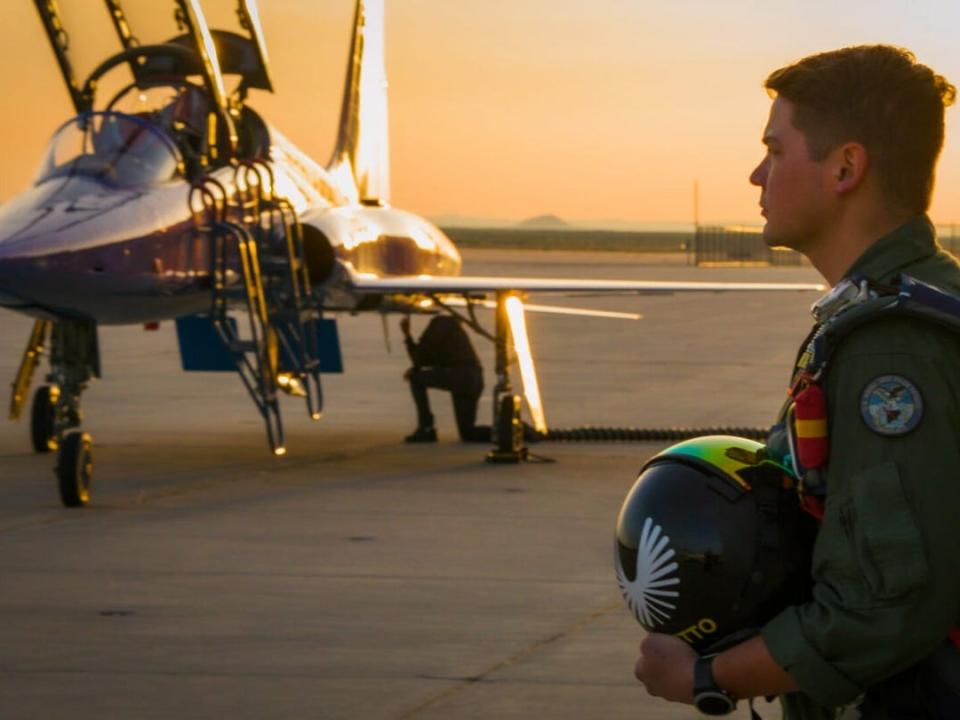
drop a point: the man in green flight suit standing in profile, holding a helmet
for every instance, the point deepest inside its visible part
(852, 142)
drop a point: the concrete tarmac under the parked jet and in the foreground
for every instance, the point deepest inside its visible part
(358, 577)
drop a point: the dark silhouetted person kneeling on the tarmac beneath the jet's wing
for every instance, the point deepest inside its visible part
(444, 358)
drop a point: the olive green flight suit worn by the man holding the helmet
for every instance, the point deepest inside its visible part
(886, 563)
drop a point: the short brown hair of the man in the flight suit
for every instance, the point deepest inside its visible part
(877, 95)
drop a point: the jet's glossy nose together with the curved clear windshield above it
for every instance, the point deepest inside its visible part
(106, 223)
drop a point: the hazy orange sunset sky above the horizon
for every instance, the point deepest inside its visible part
(590, 109)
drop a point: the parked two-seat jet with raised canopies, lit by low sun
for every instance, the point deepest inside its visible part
(168, 196)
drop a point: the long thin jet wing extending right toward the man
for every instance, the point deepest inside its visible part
(459, 285)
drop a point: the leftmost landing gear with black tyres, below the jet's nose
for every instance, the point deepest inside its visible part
(55, 415)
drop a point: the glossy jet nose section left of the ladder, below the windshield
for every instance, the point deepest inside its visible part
(77, 247)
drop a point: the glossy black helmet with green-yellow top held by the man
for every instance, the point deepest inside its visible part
(711, 542)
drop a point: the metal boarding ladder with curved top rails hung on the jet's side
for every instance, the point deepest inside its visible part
(257, 263)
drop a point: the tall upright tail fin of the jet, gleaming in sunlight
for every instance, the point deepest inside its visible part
(361, 158)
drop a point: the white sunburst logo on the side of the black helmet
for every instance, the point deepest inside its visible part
(647, 595)
